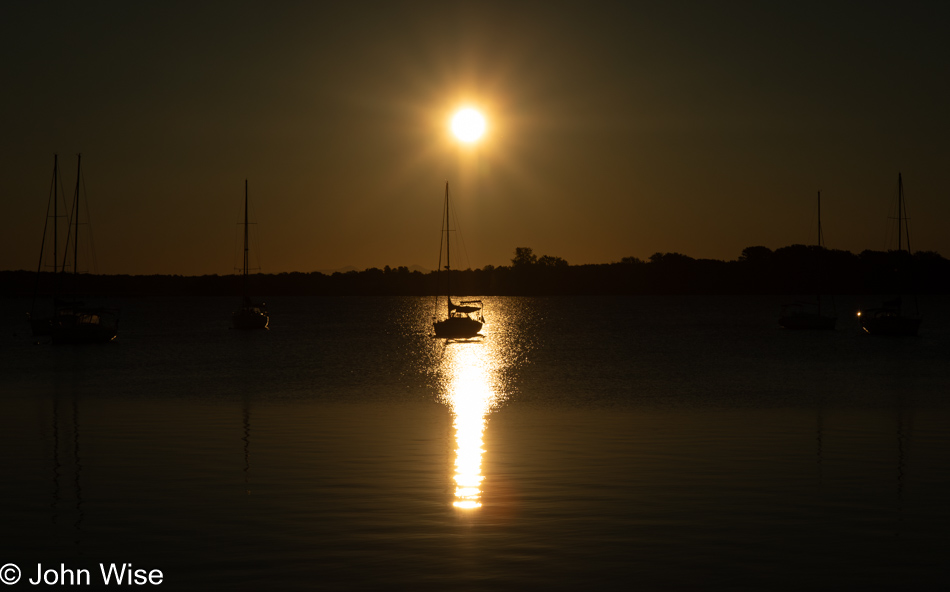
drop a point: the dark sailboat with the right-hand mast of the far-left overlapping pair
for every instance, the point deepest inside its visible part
(73, 321)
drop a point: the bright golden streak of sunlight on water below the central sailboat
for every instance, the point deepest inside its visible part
(471, 386)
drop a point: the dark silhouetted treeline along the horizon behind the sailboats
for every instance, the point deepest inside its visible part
(797, 269)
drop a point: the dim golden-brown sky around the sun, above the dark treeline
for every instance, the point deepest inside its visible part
(614, 129)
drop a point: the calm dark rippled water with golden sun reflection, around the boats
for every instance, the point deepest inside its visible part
(651, 443)
